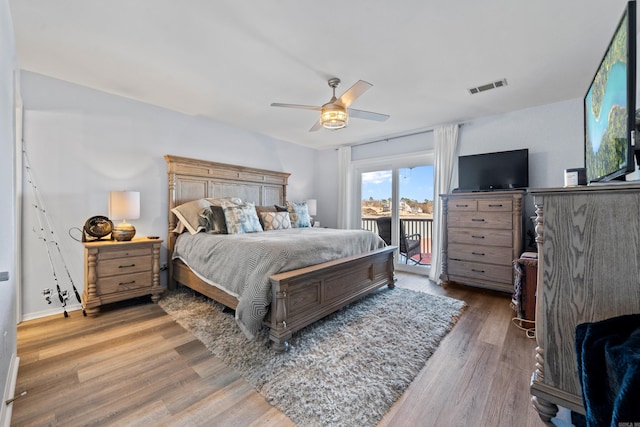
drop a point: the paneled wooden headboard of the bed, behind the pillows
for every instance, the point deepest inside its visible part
(192, 179)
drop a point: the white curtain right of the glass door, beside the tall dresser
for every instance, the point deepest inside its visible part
(446, 145)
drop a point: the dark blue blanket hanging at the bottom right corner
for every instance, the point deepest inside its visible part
(608, 356)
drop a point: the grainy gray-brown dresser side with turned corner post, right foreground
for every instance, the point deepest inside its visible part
(588, 269)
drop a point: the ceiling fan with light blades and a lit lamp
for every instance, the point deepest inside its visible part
(335, 113)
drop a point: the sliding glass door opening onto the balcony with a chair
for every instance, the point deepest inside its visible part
(397, 203)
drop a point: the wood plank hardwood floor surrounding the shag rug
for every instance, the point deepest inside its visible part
(133, 365)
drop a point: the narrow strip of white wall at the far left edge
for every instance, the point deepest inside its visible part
(8, 234)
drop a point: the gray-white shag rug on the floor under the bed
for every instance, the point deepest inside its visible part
(344, 370)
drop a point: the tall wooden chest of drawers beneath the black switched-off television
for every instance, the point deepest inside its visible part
(482, 237)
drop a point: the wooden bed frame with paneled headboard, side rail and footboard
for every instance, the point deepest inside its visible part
(299, 297)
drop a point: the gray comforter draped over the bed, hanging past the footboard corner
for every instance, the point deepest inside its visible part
(241, 264)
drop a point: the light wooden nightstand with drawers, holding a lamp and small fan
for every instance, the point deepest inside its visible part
(116, 271)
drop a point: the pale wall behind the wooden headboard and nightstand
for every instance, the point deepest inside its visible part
(83, 143)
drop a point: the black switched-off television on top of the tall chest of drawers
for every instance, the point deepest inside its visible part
(501, 170)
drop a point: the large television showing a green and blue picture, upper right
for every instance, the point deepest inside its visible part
(609, 107)
